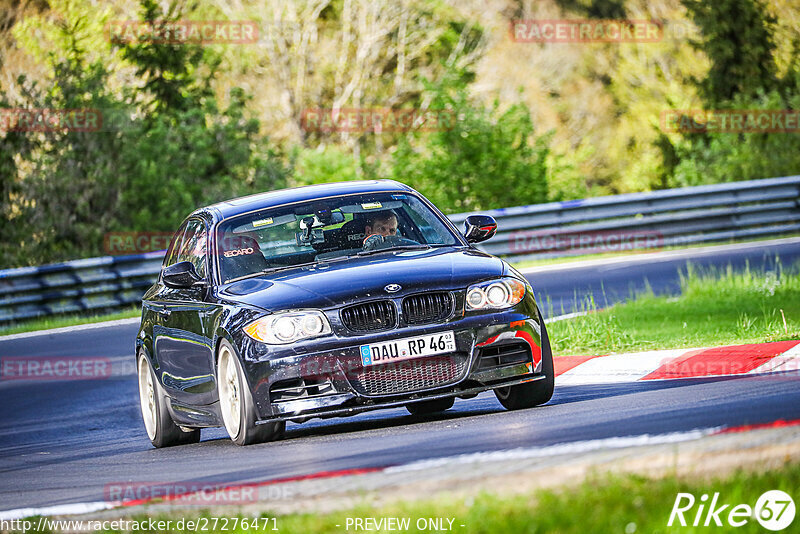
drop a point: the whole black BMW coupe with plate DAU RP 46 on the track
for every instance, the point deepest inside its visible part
(325, 301)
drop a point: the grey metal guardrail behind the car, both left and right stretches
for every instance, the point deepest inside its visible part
(672, 217)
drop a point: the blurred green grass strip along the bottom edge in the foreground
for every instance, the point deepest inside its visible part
(602, 503)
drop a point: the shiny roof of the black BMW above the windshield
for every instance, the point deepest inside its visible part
(237, 206)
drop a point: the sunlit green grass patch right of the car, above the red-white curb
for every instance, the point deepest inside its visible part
(716, 307)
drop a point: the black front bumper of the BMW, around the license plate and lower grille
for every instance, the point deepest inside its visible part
(324, 377)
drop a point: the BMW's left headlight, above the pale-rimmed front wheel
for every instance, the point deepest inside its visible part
(283, 328)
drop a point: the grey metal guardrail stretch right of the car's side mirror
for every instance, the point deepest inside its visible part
(671, 217)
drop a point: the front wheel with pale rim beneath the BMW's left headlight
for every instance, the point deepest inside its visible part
(236, 402)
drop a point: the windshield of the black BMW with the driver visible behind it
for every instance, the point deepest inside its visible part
(326, 230)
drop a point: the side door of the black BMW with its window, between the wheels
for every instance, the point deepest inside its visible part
(182, 335)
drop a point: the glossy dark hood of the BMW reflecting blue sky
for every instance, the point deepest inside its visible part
(342, 282)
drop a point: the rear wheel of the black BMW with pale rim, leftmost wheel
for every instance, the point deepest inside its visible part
(158, 423)
